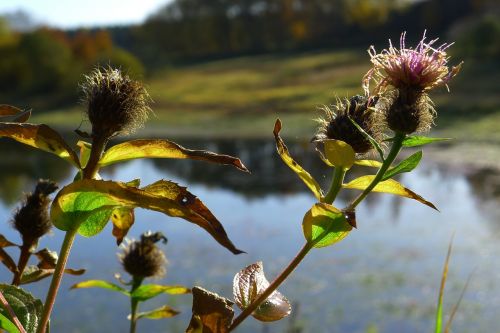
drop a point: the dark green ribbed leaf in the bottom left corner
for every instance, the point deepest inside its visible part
(27, 308)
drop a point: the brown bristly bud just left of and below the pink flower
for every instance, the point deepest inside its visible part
(337, 125)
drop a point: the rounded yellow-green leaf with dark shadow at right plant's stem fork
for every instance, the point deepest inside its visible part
(324, 225)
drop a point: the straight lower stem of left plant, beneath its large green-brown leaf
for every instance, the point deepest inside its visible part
(56, 278)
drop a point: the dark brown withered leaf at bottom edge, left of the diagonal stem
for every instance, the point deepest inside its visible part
(211, 312)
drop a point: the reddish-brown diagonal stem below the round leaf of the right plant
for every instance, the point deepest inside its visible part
(273, 286)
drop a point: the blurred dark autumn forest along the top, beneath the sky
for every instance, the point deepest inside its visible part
(49, 62)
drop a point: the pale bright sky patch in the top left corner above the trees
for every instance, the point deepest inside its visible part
(84, 13)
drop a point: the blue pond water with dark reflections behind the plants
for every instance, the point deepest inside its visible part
(384, 277)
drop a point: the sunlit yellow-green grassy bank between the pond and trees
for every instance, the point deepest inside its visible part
(243, 96)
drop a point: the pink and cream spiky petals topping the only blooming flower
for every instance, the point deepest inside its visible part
(421, 68)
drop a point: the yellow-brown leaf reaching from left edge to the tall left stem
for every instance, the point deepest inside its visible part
(42, 137)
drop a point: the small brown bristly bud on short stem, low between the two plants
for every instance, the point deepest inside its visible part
(143, 259)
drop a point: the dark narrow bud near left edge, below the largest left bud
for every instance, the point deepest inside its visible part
(32, 218)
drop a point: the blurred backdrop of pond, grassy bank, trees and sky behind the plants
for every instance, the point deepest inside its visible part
(220, 72)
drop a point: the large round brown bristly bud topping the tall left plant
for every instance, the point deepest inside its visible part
(115, 104)
